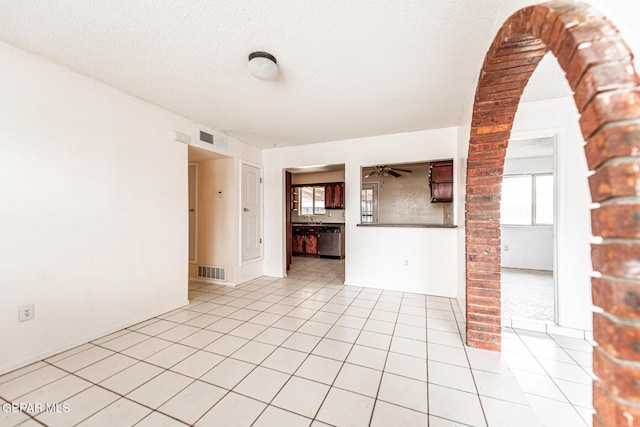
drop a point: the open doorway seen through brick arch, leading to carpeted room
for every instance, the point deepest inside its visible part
(527, 228)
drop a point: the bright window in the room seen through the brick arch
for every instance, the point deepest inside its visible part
(527, 200)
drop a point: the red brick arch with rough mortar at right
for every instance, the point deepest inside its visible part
(599, 68)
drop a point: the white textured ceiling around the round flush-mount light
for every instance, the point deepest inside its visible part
(347, 69)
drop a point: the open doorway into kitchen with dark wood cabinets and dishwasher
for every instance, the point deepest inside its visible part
(315, 219)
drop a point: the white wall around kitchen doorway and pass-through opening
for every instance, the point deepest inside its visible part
(374, 256)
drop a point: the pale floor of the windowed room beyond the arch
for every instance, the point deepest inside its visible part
(527, 294)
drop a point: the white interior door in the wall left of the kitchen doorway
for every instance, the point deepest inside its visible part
(250, 212)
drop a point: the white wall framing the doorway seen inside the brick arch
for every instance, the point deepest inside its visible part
(573, 229)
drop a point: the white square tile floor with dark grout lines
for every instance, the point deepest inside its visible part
(306, 350)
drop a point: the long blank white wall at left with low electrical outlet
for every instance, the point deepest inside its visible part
(93, 211)
